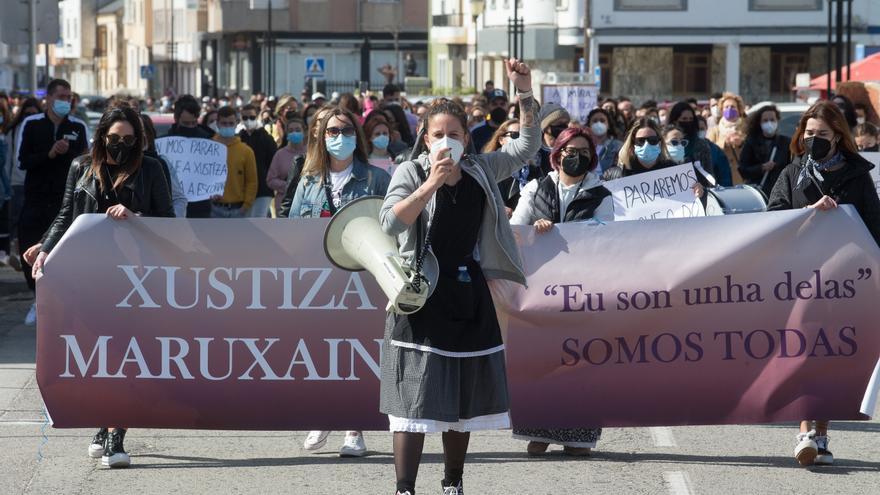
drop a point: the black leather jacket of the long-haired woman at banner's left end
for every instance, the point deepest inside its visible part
(148, 195)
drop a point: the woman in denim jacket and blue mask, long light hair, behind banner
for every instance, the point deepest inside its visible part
(338, 171)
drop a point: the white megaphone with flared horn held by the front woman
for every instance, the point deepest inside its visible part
(354, 241)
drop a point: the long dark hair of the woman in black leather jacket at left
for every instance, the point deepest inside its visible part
(122, 112)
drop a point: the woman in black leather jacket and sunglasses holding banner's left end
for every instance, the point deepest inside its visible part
(117, 179)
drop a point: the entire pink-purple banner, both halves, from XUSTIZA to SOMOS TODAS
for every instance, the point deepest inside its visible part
(244, 324)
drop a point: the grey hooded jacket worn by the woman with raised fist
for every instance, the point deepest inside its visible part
(496, 248)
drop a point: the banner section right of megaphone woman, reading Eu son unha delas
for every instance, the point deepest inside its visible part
(739, 319)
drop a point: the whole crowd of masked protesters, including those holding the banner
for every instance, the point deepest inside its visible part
(290, 157)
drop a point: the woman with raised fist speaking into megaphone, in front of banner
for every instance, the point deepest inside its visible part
(443, 366)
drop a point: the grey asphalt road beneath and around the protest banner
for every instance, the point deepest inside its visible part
(678, 460)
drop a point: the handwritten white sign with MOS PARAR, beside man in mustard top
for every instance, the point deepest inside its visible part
(200, 165)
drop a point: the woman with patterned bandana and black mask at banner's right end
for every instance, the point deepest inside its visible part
(827, 171)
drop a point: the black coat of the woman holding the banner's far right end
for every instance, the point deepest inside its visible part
(852, 185)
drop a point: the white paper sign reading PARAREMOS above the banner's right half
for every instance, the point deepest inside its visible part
(664, 193)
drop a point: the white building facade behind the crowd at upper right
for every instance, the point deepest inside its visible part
(648, 49)
